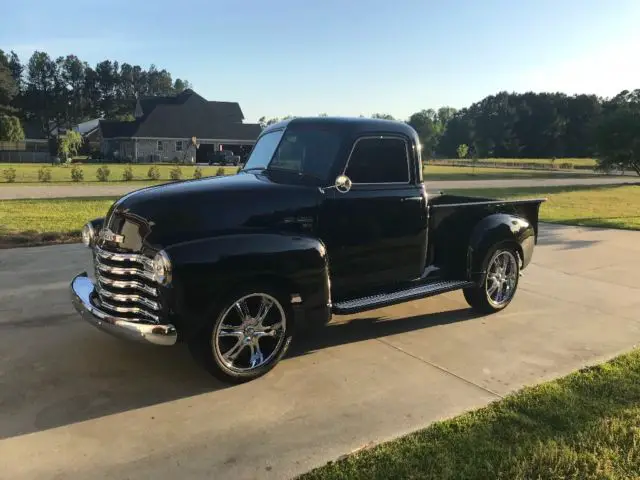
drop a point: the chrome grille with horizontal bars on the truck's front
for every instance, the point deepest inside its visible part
(125, 286)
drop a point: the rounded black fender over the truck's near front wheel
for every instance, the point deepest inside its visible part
(206, 270)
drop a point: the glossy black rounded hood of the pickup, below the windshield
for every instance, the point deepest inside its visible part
(160, 216)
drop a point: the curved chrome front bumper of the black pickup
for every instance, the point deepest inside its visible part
(82, 288)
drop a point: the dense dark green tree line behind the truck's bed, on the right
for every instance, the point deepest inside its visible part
(532, 125)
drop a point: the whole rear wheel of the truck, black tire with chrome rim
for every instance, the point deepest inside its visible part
(499, 282)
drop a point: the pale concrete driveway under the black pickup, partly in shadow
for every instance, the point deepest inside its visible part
(76, 403)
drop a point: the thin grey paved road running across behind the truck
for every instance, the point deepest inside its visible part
(58, 191)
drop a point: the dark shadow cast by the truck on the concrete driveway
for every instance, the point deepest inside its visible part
(80, 374)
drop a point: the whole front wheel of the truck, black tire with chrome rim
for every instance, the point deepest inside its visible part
(248, 335)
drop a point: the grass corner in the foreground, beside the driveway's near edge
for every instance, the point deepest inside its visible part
(583, 426)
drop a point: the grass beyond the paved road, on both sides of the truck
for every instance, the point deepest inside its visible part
(27, 174)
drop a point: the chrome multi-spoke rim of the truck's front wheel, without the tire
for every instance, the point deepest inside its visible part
(250, 333)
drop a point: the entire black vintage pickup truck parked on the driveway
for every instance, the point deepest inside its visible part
(328, 217)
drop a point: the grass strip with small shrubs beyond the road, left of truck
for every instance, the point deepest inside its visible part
(28, 173)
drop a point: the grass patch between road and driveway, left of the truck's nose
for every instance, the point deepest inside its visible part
(46, 221)
